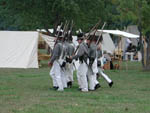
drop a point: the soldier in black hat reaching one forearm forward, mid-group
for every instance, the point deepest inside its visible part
(82, 55)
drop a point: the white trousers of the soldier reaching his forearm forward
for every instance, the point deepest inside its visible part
(81, 76)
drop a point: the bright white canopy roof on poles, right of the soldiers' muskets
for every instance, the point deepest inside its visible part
(119, 33)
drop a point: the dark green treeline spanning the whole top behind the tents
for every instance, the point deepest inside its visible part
(34, 14)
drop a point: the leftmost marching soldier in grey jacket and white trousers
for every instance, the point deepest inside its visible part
(56, 62)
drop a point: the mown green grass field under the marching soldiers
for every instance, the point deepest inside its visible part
(30, 91)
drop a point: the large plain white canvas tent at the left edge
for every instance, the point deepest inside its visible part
(18, 49)
